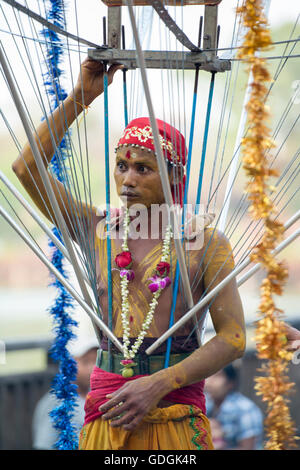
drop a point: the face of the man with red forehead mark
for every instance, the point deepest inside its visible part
(137, 177)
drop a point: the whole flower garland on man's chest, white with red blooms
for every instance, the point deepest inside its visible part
(159, 281)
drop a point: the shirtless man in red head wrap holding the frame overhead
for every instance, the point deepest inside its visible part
(157, 407)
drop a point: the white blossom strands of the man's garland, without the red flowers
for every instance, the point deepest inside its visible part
(130, 354)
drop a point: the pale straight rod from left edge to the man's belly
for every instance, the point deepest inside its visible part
(95, 319)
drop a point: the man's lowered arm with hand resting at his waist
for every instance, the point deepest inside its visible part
(140, 396)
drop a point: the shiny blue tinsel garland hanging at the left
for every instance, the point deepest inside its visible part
(63, 386)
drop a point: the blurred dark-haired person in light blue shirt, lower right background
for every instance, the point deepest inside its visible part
(238, 421)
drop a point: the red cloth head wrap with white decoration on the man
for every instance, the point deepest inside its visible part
(139, 133)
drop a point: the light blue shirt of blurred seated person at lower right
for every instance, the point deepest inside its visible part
(239, 418)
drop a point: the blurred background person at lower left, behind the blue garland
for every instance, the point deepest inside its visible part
(44, 436)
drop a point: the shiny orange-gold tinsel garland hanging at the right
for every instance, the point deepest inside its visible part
(270, 331)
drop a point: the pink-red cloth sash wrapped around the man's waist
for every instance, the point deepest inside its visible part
(103, 383)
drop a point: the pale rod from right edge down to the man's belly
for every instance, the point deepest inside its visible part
(219, 287)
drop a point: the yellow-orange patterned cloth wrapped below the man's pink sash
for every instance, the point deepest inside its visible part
(177, 427)
